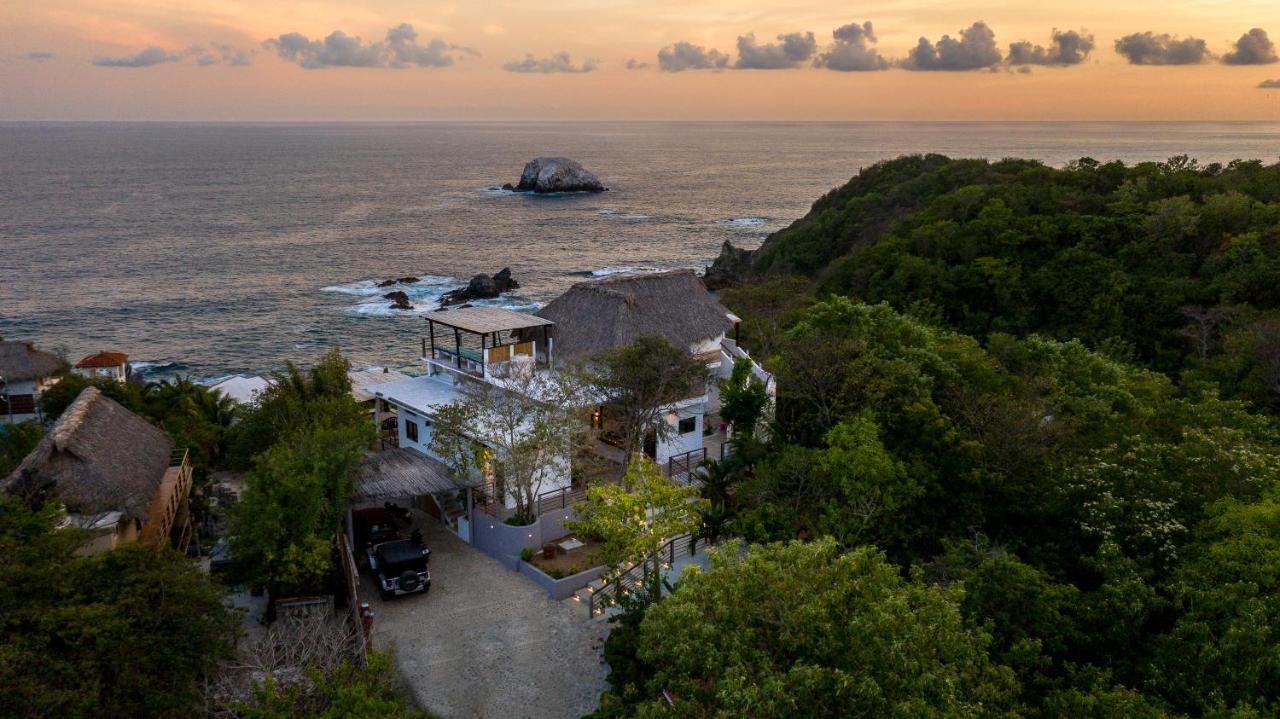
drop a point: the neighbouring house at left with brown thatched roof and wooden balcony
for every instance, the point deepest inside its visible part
(118, 477)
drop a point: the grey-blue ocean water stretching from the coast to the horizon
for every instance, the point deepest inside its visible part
(217, 249)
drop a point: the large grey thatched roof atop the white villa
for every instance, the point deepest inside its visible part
(597, 317)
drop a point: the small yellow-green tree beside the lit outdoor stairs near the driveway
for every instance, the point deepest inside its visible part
(637, 518)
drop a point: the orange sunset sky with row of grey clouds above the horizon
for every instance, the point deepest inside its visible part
(630, 59)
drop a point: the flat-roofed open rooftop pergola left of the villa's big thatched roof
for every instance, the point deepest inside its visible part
(473, 338)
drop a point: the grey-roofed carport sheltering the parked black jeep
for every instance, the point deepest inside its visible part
(406, 474)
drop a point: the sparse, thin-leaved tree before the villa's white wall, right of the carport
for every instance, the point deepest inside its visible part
(525, 429)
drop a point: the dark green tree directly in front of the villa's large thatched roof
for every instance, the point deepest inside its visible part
(641, 381)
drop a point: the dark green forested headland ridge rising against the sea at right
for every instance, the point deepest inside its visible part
(1171, 264)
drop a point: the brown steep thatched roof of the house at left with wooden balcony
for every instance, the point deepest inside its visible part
(99, 457)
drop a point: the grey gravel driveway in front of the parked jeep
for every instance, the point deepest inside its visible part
(488, 643)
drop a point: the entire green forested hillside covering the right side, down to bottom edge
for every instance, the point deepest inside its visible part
(1025, 462)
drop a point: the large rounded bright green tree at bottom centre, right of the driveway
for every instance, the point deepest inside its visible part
(802, 630)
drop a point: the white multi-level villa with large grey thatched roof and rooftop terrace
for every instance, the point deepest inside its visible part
(488, 345)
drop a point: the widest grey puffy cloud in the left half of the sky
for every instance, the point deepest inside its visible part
(401, 49)
